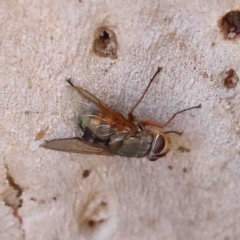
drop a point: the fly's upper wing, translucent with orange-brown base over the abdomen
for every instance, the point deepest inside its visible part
(102, 120)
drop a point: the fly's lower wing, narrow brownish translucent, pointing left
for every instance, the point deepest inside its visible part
(76, 145)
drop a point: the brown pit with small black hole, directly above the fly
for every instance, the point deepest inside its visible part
(105, 43)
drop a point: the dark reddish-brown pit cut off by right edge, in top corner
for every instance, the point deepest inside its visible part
(230, 24)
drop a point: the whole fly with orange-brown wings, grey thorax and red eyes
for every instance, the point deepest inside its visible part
(105, 131)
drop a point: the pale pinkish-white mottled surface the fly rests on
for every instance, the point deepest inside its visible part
(45, 42)
